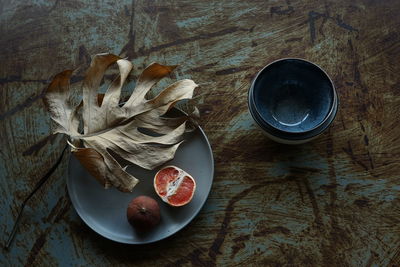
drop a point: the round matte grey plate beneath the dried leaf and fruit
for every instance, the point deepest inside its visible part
(104, 210)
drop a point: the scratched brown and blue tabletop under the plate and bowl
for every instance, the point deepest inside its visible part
(332, 202)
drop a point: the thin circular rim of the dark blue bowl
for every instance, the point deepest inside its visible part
(252, 104)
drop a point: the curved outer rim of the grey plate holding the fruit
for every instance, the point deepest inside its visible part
(189, 220)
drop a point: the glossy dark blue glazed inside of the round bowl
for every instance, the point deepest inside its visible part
(293, 95)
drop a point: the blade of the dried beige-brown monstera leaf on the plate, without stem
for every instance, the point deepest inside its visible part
(125, 130)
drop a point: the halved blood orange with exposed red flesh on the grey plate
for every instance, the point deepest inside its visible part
(175, 186)
